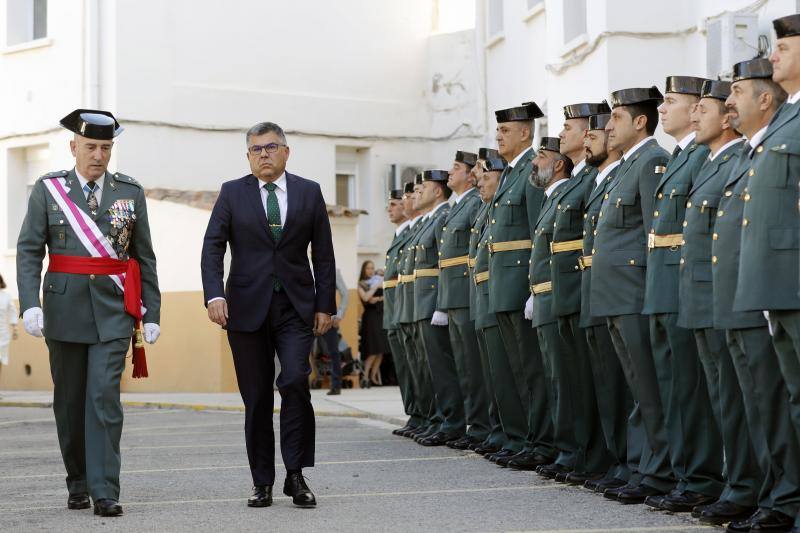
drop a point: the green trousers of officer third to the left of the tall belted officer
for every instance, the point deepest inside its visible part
(434, 343)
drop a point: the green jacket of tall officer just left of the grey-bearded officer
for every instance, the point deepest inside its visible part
(512, 217)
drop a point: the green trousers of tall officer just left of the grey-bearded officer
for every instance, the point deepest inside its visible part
(522, 348)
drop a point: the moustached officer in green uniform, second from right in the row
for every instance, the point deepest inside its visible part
(753, 101)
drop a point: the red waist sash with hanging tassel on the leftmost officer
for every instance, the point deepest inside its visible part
(106, 266)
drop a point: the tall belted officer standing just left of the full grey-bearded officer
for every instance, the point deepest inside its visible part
(512, 218)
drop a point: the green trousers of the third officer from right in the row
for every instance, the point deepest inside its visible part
(743, 477)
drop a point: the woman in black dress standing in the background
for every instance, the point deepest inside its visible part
(373, 337)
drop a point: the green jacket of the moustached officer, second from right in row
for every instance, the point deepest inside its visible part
(726, 246)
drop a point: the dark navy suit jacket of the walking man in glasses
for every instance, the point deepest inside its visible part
(239, 219)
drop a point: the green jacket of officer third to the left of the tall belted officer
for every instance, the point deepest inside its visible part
(426, 289)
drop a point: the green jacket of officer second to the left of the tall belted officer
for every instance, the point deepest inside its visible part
(454, 281)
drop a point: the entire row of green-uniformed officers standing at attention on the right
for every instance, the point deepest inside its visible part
(612, 315)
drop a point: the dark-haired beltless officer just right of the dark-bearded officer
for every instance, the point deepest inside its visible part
(619, 259)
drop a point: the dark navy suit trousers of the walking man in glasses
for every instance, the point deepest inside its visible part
(286, 334)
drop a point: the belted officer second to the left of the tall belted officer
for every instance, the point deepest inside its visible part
(454, 299)
